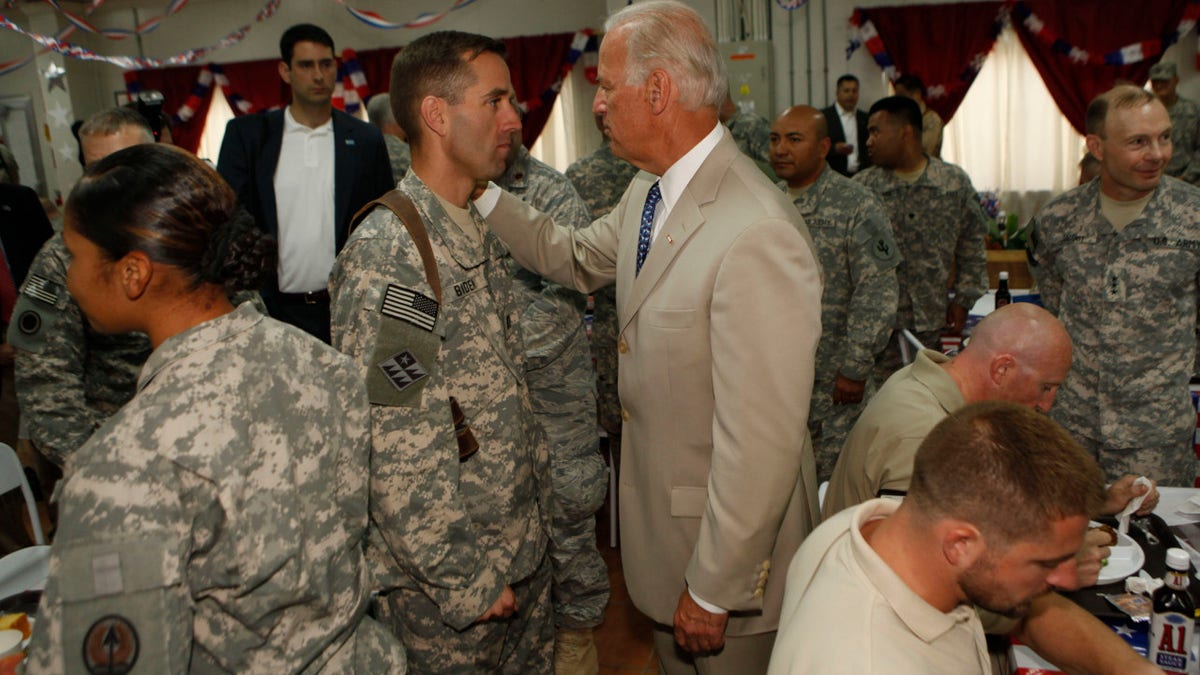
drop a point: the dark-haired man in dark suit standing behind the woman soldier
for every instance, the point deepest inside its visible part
(304, 172)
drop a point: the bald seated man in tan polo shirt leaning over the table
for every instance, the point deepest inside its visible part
(1018, 354)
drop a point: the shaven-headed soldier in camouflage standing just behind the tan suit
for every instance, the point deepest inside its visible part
(859, 260)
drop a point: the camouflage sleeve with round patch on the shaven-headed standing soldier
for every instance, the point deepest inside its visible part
(871, 316)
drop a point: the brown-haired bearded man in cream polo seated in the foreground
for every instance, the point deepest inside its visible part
(895, 588)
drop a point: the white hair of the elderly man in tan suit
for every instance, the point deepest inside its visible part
(670, 35)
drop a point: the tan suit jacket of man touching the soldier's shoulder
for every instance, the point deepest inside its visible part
(718, 339)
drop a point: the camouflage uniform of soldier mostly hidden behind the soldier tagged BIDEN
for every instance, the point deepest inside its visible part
(562, 392)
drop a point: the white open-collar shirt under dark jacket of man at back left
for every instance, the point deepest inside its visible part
(304, 206)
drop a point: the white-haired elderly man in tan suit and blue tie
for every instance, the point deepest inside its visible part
(719, 306)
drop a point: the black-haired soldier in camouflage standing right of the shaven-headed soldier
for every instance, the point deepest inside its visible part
(938, 224)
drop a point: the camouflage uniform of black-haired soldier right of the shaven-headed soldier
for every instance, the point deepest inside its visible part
(940, 230)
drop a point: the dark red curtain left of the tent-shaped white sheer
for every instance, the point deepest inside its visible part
(940, 44)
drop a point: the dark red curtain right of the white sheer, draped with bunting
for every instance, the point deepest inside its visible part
(1101, 28)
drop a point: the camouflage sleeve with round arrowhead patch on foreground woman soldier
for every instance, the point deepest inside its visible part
(117, 592)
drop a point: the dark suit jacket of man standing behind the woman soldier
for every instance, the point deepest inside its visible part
(251, 150)
